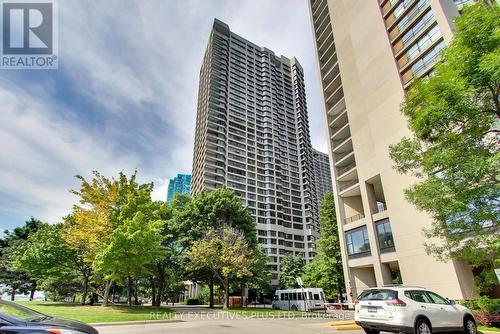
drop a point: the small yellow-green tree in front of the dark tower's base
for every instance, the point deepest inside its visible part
(226, 253)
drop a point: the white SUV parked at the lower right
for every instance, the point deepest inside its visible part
(410, 310)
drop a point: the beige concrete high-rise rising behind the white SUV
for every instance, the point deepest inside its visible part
(368, 53)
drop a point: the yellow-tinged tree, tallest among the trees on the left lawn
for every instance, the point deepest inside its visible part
(104, 205)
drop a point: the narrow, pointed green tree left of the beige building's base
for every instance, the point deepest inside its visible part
(326, 271)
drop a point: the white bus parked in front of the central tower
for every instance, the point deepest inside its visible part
(306, 299)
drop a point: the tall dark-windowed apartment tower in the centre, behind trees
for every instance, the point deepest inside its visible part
(252, 136)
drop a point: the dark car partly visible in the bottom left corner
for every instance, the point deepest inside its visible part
(15, 319)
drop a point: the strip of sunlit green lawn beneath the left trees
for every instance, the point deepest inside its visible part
(94, 314)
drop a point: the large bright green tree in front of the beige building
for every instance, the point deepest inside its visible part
(454, 152)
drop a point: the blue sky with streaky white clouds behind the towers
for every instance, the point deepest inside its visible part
(125, 93)
